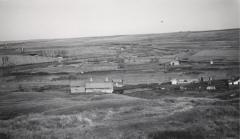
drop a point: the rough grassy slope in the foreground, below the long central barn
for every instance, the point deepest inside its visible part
(170, 115)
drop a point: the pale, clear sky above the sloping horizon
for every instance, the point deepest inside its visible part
(44, 19)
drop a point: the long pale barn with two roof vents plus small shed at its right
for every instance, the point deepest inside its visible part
(95, 87)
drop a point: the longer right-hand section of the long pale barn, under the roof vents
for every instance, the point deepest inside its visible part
(103, 87)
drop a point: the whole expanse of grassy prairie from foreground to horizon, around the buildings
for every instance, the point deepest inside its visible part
(35, 101)
